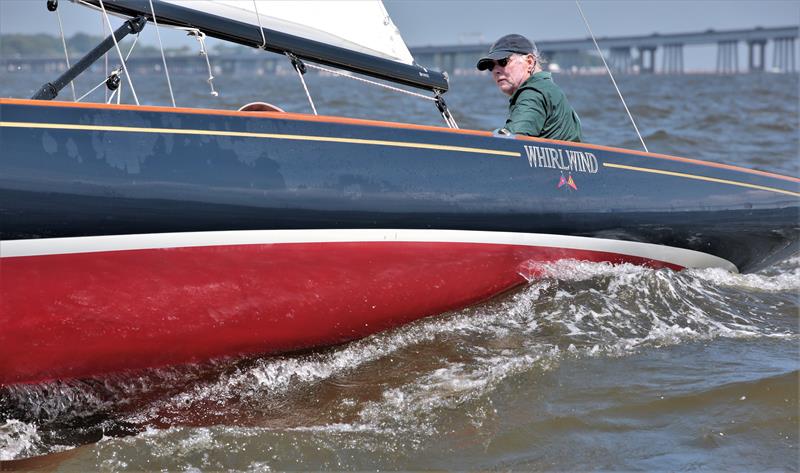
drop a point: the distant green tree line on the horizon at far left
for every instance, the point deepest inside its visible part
(48, 46)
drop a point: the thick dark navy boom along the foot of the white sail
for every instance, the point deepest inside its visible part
(246, 34)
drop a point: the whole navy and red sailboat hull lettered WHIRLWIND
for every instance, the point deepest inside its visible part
(136, 237)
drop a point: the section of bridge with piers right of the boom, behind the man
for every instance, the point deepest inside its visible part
(632, 54)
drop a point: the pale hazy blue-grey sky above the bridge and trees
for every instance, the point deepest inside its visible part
(452, 21)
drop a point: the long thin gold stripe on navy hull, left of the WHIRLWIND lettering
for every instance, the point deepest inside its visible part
(242, 134)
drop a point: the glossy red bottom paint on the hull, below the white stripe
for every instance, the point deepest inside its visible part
(78, 315)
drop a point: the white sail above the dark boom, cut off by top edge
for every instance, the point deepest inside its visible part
(357, 25)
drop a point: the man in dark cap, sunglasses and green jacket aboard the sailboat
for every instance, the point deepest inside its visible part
(538, 107)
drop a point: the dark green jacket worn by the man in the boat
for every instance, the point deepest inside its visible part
(540, 108)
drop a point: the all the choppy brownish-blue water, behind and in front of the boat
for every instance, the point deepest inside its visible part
(591, 367)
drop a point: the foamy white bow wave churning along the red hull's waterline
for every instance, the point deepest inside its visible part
(412, 378)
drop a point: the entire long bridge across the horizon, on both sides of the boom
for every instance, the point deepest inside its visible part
(626, 54)
